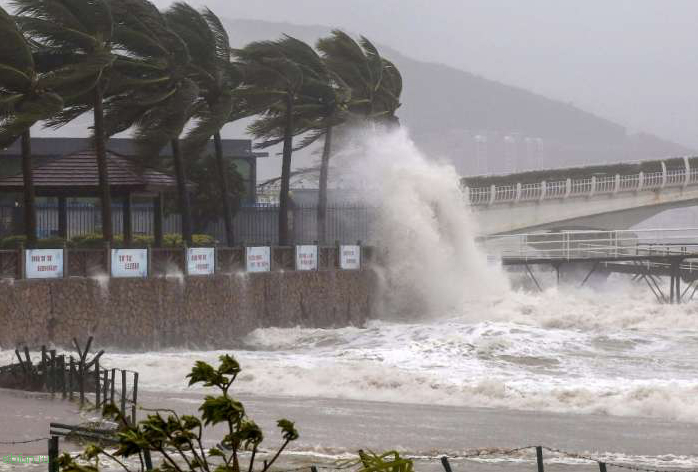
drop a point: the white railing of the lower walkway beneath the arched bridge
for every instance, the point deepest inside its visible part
(568, 245)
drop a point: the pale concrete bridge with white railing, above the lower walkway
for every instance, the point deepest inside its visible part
(596, 197)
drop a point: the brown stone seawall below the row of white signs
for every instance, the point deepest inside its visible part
(203, 312)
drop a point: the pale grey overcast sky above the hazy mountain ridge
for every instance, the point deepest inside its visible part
(633, 61)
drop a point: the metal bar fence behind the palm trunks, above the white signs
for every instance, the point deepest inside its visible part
(252, 224)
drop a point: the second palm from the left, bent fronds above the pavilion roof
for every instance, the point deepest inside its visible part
(76, 36)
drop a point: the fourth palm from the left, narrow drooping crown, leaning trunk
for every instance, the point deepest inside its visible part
(217, 77)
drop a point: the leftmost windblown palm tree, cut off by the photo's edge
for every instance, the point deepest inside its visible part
(25, 98)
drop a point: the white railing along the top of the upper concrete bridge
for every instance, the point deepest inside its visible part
(584, 187)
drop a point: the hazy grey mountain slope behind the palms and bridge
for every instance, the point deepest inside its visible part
(486, 126)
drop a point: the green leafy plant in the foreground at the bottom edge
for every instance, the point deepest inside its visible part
(176, 442)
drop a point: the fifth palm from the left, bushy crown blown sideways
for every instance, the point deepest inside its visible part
(278, 75)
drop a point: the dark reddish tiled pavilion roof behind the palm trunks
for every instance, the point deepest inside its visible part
(79, 171)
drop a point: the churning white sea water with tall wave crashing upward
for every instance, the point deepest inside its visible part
(456, 341)
